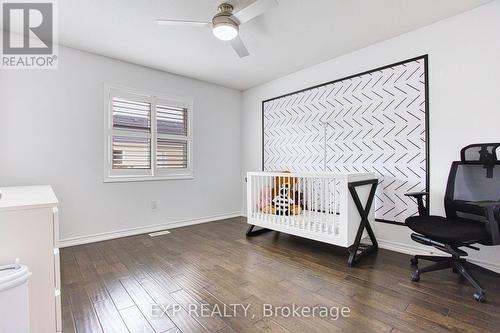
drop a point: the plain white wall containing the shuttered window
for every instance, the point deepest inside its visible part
(52, 133)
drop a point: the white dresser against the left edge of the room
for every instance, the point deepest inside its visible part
(29, 230)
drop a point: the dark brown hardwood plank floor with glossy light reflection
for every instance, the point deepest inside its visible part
(110, 286)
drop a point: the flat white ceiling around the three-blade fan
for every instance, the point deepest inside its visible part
(294, 35)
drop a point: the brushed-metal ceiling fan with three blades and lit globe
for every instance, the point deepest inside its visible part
(225, 24)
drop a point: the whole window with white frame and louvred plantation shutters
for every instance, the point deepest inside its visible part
(148, 137)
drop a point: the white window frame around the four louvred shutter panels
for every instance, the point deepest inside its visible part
(153, 173)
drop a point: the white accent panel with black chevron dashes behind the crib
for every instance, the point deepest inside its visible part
(371, 122)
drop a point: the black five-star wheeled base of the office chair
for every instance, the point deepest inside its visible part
(457, 266)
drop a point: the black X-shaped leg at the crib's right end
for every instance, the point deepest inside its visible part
(358, 250)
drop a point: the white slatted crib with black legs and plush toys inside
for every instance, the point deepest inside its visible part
(320, 206)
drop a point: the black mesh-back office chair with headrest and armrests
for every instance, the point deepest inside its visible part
(472, 204)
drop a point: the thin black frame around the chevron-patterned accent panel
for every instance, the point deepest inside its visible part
(427, 132)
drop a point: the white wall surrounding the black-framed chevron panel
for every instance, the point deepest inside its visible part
(464, 68)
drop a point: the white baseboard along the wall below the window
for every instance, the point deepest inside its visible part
(142, 230)
